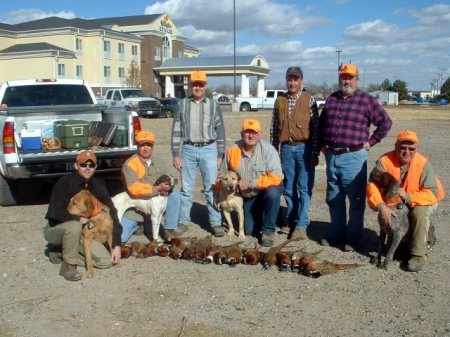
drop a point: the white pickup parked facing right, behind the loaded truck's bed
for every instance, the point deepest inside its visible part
(134, 99)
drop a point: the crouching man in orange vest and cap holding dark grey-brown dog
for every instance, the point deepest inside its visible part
(419, 188)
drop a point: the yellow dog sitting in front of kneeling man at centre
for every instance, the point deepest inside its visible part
(229, 200)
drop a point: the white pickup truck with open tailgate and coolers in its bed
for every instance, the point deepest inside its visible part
(46, 123)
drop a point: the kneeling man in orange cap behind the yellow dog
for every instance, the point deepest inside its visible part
(259, 167)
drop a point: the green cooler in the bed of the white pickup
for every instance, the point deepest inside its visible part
(72, 133)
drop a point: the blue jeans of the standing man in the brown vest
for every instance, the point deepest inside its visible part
(298, 183)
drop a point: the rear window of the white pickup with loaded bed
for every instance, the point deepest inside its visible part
(51, 94)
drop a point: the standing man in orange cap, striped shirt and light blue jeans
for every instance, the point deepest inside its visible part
(198, 142)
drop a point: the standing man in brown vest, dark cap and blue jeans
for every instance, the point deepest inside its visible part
(294, 133)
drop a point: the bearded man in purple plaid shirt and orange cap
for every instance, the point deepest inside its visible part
(344, 135)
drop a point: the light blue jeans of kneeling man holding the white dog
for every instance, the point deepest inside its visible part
(130, 226)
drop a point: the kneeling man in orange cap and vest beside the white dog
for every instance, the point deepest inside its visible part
(139, 173)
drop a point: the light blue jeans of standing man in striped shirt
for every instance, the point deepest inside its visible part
(205, 159)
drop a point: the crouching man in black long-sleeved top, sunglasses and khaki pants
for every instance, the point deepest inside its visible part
(64, 230)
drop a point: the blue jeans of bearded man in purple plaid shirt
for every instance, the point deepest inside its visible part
(346, 177)
